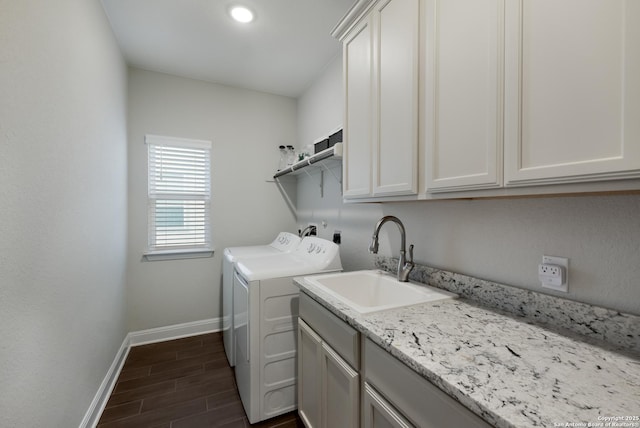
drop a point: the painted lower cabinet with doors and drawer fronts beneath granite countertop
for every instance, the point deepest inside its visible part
(332, 379)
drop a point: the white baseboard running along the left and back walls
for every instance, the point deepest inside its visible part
(136, 338)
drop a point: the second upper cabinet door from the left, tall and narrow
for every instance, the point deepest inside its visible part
(395, 134)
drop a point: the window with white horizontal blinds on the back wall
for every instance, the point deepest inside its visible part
(179, 198)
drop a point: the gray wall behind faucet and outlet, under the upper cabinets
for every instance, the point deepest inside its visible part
(502, 240)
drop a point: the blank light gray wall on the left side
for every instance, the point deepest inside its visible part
(63, 203)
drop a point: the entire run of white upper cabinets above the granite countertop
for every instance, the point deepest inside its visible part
(490, 98)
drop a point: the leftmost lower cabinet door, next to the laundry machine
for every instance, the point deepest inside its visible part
(309, 380)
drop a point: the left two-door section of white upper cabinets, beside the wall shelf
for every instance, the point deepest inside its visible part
(381, 69)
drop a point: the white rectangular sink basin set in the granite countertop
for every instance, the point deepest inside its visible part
(370, 291)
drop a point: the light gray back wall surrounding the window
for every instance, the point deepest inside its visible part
(246, 128)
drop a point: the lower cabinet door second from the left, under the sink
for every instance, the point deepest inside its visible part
(340, 397)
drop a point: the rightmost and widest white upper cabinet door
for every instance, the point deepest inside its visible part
(572, 90)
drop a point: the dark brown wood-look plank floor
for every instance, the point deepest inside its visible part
(184, 383)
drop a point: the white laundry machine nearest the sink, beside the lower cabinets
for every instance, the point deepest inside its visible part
(265, 323)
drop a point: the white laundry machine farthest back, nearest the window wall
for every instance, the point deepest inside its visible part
(283, 243)
